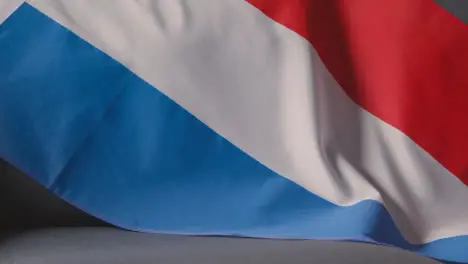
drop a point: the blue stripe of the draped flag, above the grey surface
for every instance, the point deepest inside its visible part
(103, 139)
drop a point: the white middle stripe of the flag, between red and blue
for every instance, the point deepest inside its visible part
(264, 88)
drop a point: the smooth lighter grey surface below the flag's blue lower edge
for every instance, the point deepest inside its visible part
(107, 245)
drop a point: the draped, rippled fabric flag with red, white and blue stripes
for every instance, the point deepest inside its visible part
(286, 119)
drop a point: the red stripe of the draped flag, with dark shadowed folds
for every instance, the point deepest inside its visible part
(405, 61)
